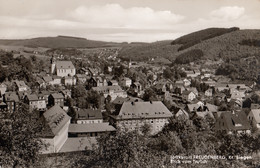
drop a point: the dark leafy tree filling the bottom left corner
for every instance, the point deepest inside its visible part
(19, 142)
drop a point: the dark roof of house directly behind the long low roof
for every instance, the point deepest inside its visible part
(88, 114)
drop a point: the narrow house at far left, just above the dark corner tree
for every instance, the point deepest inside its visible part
(12, 101)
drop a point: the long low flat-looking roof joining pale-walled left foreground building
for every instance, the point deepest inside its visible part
(94, 127)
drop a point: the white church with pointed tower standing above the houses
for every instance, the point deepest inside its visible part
(63, 68)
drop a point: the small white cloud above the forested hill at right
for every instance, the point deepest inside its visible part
(228, 13)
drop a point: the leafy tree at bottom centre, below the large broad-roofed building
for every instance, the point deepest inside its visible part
(124, 149)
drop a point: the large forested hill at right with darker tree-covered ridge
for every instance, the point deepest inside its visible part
(211, 44)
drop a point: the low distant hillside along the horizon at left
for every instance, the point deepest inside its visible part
(58, 42)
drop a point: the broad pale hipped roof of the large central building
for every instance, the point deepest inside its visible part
(139, 110)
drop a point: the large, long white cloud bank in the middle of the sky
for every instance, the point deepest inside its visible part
(115, 16)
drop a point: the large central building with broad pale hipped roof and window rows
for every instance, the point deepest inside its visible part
(133, 115)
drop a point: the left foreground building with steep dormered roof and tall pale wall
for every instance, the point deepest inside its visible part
(55, 132)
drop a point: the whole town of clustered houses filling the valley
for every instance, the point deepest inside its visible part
(80, 98)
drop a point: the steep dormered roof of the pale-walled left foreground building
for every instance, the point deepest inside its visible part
(56, 118)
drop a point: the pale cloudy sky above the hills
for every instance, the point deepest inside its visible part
(123, 20)
